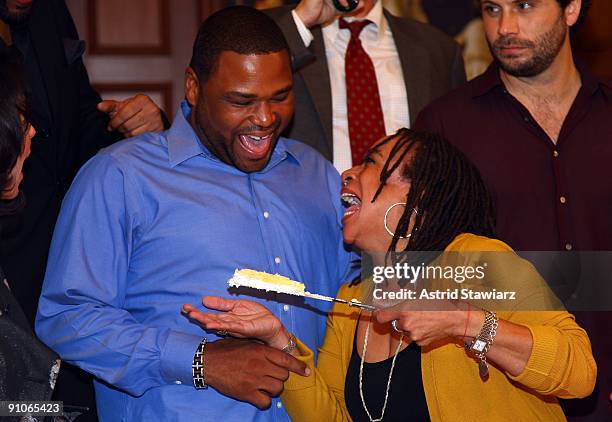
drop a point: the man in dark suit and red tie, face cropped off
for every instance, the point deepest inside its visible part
(368, 60)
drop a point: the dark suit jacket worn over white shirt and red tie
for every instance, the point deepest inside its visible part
(431, 63)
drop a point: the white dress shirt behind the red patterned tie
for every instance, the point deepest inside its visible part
(377, 41)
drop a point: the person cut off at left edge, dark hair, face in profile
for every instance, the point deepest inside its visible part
(28, 369)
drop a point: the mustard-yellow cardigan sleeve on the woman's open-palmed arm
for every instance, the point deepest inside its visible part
(320, 396)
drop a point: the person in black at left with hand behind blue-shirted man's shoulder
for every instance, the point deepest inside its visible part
(72, 125)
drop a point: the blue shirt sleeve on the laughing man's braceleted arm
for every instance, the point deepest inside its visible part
(80, 313)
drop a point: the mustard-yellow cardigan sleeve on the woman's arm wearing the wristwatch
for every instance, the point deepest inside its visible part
(561, 363)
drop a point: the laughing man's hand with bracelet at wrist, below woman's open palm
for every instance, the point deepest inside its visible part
(249, 371)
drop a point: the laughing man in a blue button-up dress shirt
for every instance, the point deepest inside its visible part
(163, 219)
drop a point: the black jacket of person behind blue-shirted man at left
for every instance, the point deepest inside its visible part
(69, 131)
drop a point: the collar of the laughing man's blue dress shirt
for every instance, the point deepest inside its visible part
(184, 143)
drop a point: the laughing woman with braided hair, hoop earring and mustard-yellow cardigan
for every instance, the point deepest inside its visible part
(415, 192)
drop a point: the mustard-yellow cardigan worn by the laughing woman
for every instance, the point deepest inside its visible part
(561, 365)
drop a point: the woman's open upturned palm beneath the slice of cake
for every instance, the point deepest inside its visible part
(240, 318)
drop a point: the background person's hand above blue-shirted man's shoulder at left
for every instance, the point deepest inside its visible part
(133, 116)
